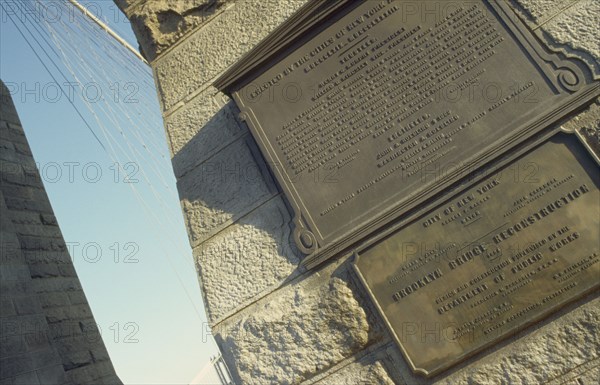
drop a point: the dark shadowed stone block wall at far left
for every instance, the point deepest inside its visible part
(47, 330)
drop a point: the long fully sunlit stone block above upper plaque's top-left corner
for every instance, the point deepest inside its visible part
(219, 44)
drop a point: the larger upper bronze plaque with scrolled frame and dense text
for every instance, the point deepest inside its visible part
(363, 110)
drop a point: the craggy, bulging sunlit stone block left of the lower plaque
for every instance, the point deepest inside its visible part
(303, 330)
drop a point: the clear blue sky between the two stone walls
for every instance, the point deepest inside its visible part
(135, 264)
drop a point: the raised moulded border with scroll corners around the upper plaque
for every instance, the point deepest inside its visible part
(567, 75)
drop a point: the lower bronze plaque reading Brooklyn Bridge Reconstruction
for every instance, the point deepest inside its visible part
(498, 256)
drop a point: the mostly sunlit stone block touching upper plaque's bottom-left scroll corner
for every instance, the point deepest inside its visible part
(246, 259)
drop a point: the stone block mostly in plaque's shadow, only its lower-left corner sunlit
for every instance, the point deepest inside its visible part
(222, 189)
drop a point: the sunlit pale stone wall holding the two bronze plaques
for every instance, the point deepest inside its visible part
(274, 322)
